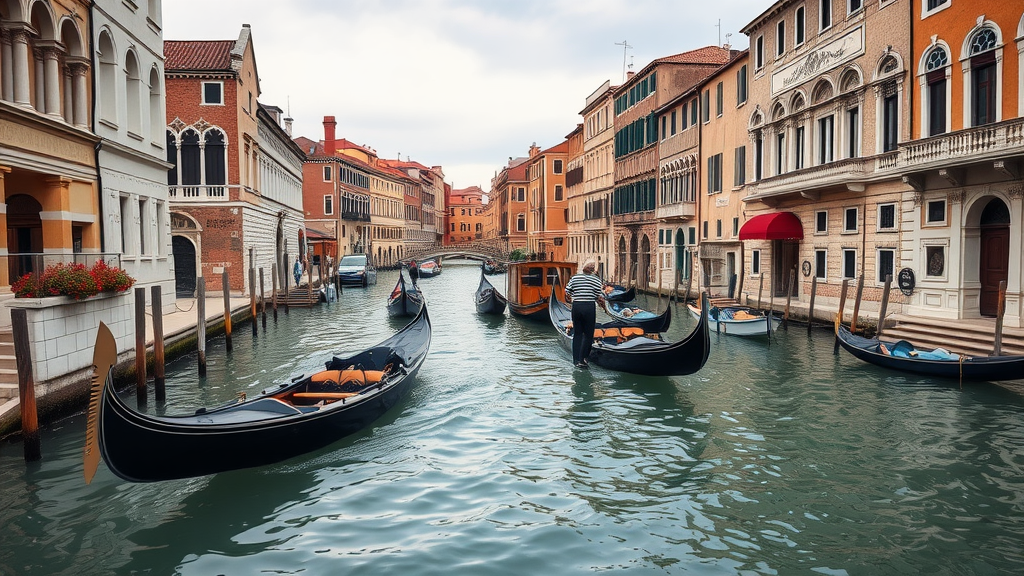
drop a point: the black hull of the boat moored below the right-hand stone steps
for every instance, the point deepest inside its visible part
(972, 368)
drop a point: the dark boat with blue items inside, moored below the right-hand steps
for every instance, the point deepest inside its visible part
(903, 356)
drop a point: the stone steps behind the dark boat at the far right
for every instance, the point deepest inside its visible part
(973, 338)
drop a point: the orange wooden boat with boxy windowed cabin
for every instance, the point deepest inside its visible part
(530, 283)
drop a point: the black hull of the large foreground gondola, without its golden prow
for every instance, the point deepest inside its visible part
(144, 448)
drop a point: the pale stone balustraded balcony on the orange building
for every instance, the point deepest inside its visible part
(993, 142)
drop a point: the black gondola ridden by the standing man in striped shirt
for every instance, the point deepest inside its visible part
(630, 350)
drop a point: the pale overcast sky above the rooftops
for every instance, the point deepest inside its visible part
(463, 85)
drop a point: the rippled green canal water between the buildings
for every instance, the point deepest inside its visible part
(774, 460)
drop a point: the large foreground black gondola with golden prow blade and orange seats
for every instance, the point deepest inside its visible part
(283, 422)
